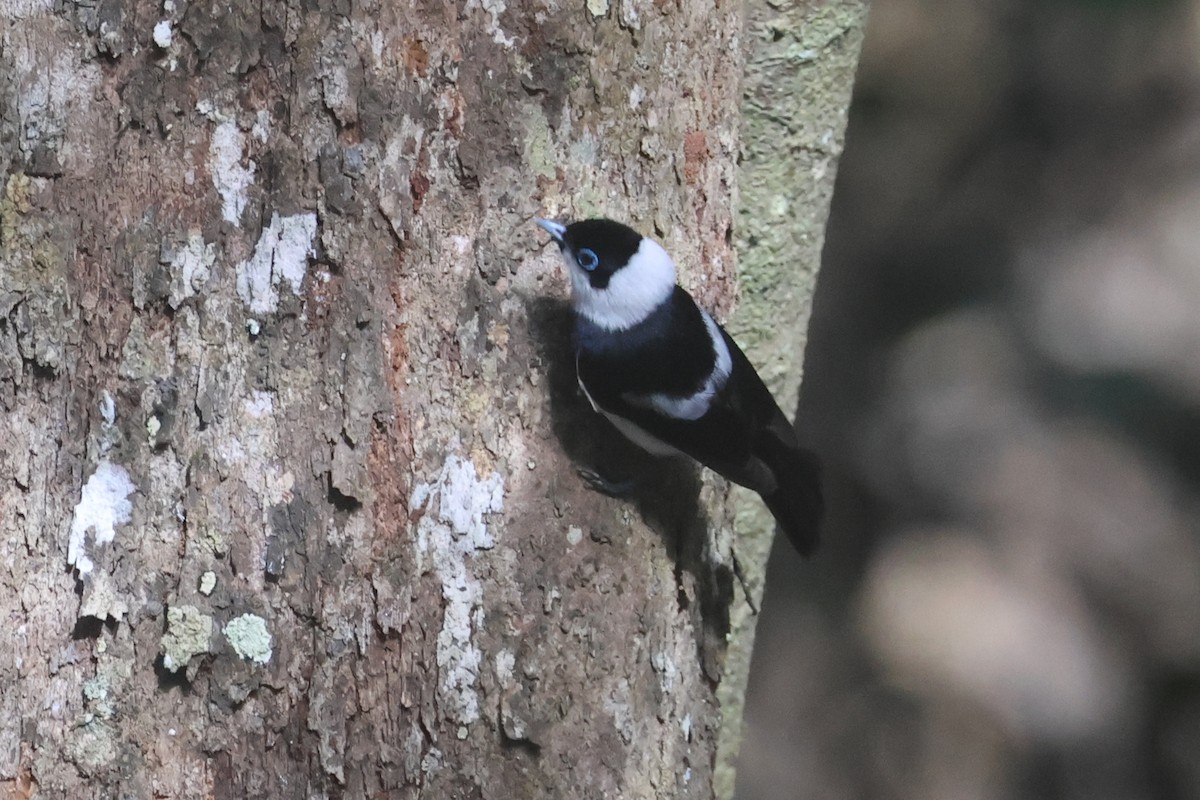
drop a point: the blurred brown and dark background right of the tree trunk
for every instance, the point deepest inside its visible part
(1004, 381)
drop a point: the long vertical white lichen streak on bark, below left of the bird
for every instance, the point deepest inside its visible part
(453, 530)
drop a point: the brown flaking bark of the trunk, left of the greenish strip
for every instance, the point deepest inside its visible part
(285, 508)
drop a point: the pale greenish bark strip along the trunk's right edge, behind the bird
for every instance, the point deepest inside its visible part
(801, 64)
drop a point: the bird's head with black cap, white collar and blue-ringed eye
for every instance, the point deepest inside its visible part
(619, 276)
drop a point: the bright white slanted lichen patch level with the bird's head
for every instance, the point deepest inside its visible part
(280, 256)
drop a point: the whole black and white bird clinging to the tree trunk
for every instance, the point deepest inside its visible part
(673, 381)
